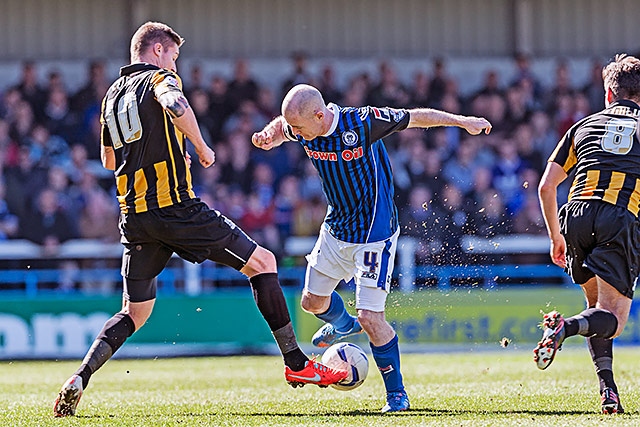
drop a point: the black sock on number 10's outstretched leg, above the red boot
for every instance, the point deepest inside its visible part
(270, 301)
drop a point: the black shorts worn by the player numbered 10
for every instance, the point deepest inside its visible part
(190, 229)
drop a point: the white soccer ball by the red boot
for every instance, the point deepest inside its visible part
(347, 357)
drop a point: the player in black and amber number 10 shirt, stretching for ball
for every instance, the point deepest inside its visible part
(145, 120)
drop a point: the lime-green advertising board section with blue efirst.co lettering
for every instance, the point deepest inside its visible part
(467, 316)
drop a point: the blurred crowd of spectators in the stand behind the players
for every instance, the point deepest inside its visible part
(448, 184)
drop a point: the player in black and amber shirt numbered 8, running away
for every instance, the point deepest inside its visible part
(596, 235)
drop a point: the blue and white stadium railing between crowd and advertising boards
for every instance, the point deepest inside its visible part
(180, 276)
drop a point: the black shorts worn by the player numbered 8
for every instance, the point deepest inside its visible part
(604, 240)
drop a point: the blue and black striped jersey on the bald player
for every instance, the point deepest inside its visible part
(355, 169)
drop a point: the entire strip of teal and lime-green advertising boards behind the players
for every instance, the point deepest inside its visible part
(229, 322)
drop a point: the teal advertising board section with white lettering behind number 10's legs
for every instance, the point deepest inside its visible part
(64, 327)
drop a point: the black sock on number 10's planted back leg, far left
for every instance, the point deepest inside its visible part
(114, 333)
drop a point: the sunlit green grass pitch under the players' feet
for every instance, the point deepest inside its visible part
(500, 387)
